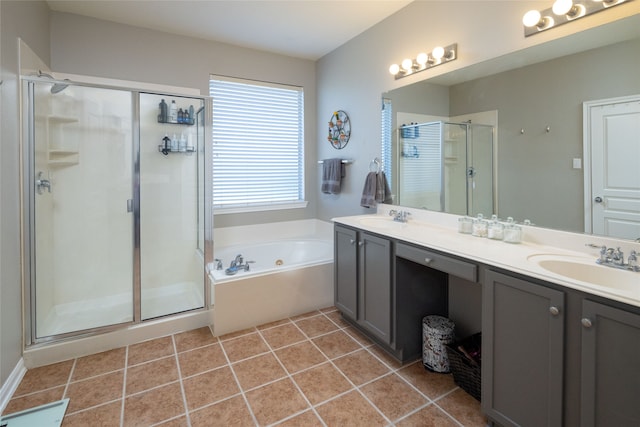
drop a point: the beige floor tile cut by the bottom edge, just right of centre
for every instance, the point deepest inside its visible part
(350, 410)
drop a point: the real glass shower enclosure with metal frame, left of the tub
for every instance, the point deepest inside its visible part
(116, 219)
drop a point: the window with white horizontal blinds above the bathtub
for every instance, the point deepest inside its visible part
(258, 145)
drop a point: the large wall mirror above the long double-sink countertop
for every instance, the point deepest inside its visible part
(539, 169)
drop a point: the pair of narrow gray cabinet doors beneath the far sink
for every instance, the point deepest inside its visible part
(363, 280)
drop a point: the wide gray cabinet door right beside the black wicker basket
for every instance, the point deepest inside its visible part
(522, 352)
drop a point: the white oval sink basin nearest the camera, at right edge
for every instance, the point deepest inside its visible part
(586, 270)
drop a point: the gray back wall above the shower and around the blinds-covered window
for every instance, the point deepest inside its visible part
(130, 53)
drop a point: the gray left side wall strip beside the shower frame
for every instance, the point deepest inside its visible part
(29, 21)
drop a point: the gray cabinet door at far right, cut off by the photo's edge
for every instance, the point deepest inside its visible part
(610, 366)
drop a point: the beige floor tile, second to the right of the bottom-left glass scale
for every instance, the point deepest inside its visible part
(154, 406)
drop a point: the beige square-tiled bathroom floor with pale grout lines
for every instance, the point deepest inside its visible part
(311, 370)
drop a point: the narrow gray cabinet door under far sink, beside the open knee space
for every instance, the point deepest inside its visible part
(375, 286)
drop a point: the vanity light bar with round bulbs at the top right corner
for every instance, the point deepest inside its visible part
(563, 11)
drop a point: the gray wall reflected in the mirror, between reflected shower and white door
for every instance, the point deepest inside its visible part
(536, 179)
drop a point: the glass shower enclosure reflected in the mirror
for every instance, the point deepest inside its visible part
(447, 167)
